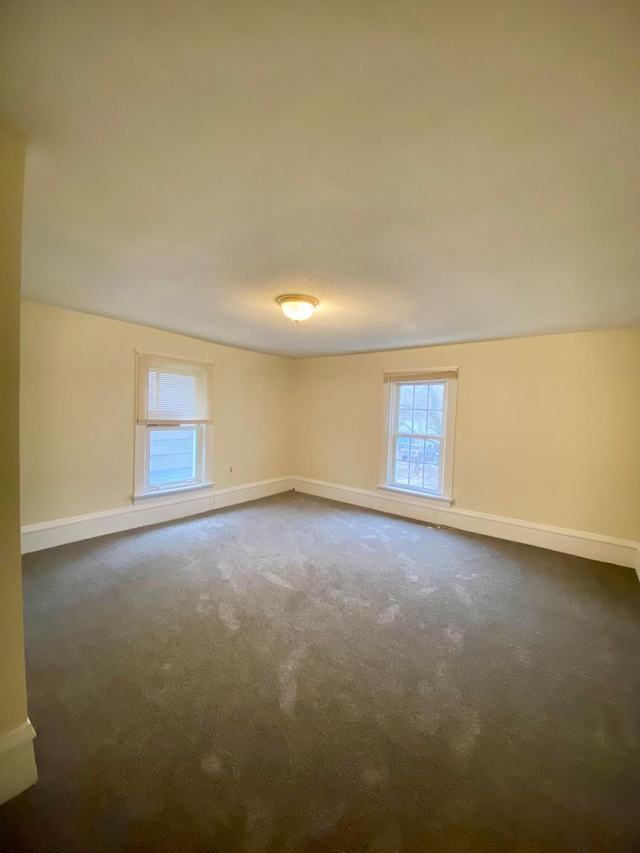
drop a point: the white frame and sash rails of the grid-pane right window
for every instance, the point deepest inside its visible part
(446, 439)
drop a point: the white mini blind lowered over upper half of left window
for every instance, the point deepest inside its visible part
(172, 392)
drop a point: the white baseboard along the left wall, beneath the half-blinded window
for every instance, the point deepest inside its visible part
(49, 534)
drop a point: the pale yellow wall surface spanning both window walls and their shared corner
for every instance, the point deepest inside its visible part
(547, 427)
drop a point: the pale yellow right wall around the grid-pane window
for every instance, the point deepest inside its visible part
(548, 428)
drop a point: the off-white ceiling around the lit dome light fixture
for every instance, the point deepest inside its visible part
(430, 171)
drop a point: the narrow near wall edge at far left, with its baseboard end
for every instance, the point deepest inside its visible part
(17, 768)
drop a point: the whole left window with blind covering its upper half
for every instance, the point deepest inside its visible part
(173, 431)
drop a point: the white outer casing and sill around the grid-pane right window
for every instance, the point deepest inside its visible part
(447, 445)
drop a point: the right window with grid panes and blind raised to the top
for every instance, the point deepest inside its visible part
(421, 422)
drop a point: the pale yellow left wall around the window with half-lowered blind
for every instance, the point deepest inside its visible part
(77, 410)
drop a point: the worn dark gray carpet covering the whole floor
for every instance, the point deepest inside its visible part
(299, 675)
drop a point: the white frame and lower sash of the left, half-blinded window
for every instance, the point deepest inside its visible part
(143, 431)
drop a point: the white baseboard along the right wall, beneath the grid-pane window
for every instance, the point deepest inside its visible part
(606, 549)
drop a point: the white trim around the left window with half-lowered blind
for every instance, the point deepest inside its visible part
(205, 463)
